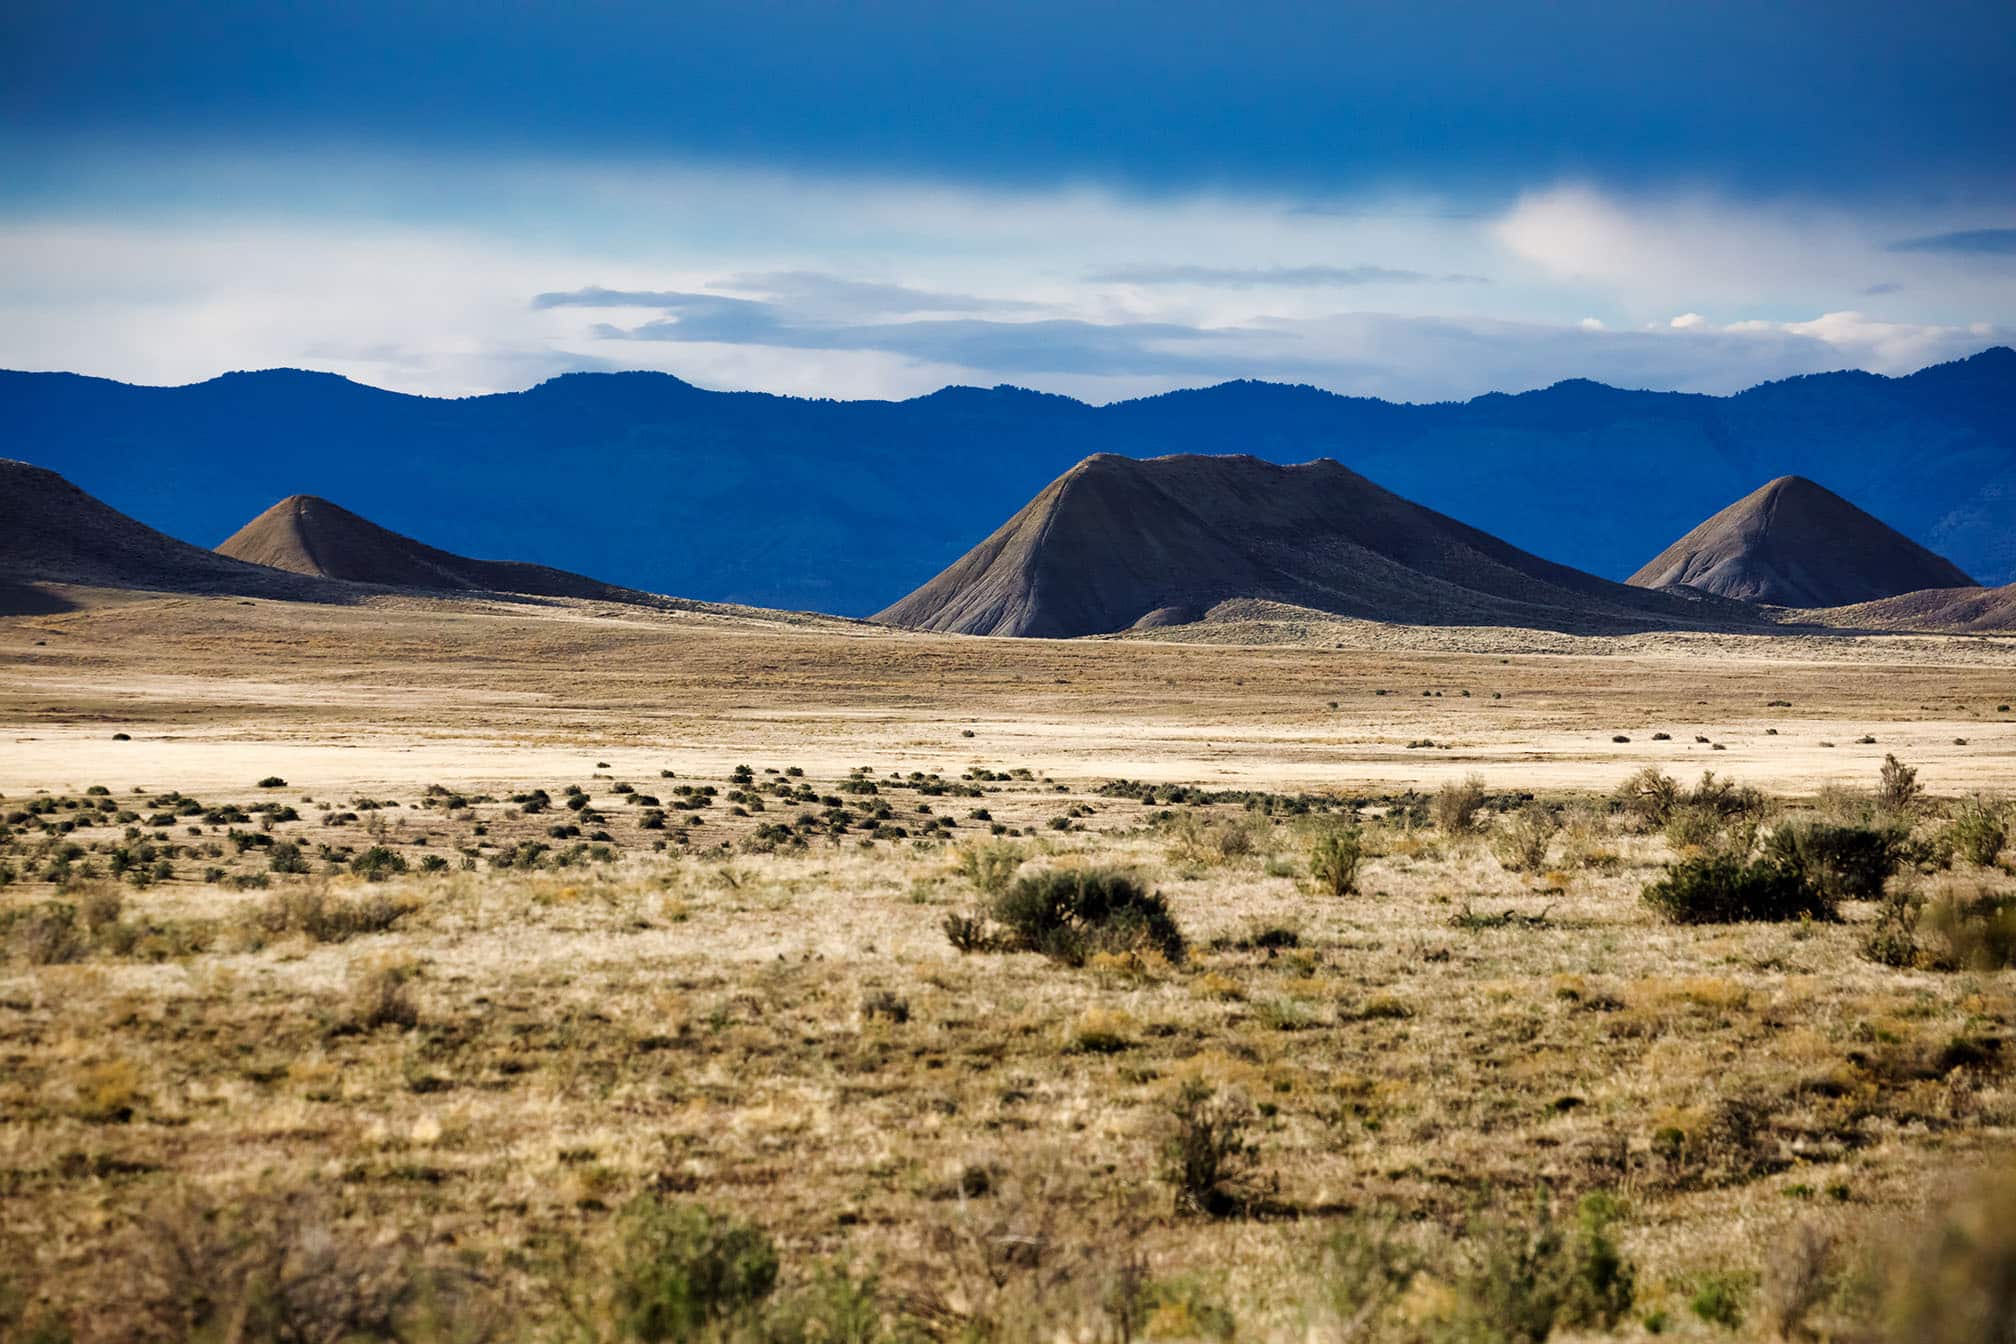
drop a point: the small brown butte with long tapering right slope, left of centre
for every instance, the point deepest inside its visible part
(309, 535)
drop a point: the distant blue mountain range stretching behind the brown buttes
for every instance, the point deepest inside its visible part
(850, 505)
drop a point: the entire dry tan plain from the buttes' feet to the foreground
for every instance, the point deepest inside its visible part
(436, 972)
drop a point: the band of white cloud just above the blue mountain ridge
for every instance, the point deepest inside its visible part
(846, 267)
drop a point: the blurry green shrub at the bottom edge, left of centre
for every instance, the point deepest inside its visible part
(686, 1270)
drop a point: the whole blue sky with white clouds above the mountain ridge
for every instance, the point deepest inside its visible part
(1404, 200)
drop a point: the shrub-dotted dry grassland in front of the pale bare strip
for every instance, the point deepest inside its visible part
(513, 1067)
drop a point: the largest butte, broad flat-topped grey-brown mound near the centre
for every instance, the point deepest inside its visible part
(1124, 543)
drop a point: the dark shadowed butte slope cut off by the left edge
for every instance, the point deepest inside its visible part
(53, 533)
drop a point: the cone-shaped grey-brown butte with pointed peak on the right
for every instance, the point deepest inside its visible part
(1797, 545)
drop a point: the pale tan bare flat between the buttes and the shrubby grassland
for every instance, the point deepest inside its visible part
(221, 692)
